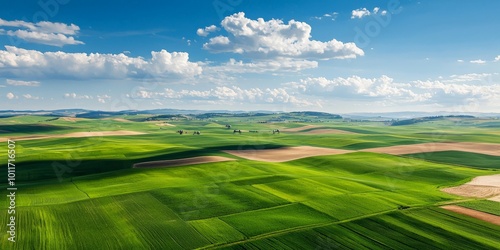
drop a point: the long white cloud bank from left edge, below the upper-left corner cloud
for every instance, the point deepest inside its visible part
(162, 64)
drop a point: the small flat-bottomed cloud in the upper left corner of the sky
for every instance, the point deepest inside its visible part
(49, 33)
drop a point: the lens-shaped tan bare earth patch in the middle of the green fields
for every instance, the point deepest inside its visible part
(285, 154)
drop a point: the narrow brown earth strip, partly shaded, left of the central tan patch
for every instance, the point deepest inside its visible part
(181, 162)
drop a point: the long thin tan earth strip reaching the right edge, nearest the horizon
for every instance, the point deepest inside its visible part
(473, 147)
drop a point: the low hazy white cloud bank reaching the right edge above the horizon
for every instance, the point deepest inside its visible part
(451, 91)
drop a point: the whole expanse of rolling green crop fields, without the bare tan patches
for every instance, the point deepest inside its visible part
(84, 193)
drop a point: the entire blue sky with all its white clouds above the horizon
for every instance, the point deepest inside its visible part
(334, 56)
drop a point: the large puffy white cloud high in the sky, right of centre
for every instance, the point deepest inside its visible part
(273, 38)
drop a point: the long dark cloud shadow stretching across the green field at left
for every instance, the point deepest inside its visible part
(60, 169)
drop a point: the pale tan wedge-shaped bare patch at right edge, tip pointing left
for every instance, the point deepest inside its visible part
(479, 187)
